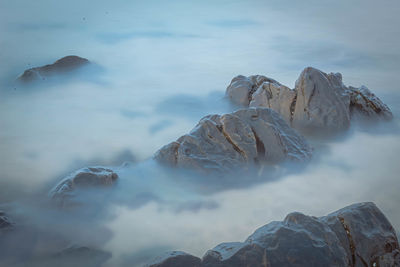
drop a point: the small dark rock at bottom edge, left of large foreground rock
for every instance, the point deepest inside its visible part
(175, 259)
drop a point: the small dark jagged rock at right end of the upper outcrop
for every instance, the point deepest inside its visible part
(364, 102)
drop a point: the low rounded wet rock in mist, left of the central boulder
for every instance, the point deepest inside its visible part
(86, 177)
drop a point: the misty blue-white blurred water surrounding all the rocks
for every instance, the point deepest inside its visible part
(160, 66)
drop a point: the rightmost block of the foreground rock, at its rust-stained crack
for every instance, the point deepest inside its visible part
(366, 234)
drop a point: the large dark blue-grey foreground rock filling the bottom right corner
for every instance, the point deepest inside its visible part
(356, 236)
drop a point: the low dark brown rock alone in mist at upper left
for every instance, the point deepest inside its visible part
(63, 65)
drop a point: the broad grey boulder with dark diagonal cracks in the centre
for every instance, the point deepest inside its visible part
(224, 142)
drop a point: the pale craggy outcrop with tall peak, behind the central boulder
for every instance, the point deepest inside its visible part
(319, 101)
